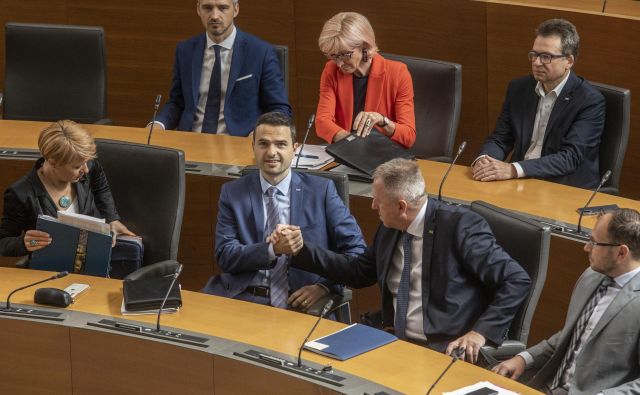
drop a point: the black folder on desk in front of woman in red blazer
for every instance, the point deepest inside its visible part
(365, 154)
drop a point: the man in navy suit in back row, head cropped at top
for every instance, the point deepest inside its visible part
(223, 79)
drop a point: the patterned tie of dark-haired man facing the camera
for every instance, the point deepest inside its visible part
(279, 281)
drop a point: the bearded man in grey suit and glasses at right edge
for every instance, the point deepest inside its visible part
(597, 350)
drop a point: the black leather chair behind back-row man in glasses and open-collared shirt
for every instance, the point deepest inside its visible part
(613, 144)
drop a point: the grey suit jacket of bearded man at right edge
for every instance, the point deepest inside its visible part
(609, 361)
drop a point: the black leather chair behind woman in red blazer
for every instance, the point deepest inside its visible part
(437, 89)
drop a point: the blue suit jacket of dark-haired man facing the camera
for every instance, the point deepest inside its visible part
(241, 249)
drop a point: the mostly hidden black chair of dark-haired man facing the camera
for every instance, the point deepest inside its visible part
(340, 302)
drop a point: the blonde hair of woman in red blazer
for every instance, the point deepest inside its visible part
(347, 30)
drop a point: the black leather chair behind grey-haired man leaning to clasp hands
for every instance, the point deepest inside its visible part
(527, 241)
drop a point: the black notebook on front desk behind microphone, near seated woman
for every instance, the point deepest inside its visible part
(148, 293)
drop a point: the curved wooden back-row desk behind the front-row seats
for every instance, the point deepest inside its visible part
(535, 198)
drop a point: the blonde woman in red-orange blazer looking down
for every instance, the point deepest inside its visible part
(359, 89)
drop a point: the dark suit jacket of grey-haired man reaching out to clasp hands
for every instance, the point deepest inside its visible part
(468, 281)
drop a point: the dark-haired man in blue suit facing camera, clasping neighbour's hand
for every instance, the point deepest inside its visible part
(255, 268)
